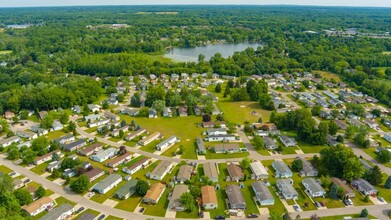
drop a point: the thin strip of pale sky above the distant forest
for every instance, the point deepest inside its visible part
(35, 3)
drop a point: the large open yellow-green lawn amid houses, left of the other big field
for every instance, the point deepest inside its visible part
(185, 128)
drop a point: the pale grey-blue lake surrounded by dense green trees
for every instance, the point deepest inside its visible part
(191, 54)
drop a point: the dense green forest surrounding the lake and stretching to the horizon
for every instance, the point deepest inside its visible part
(65, 45)
